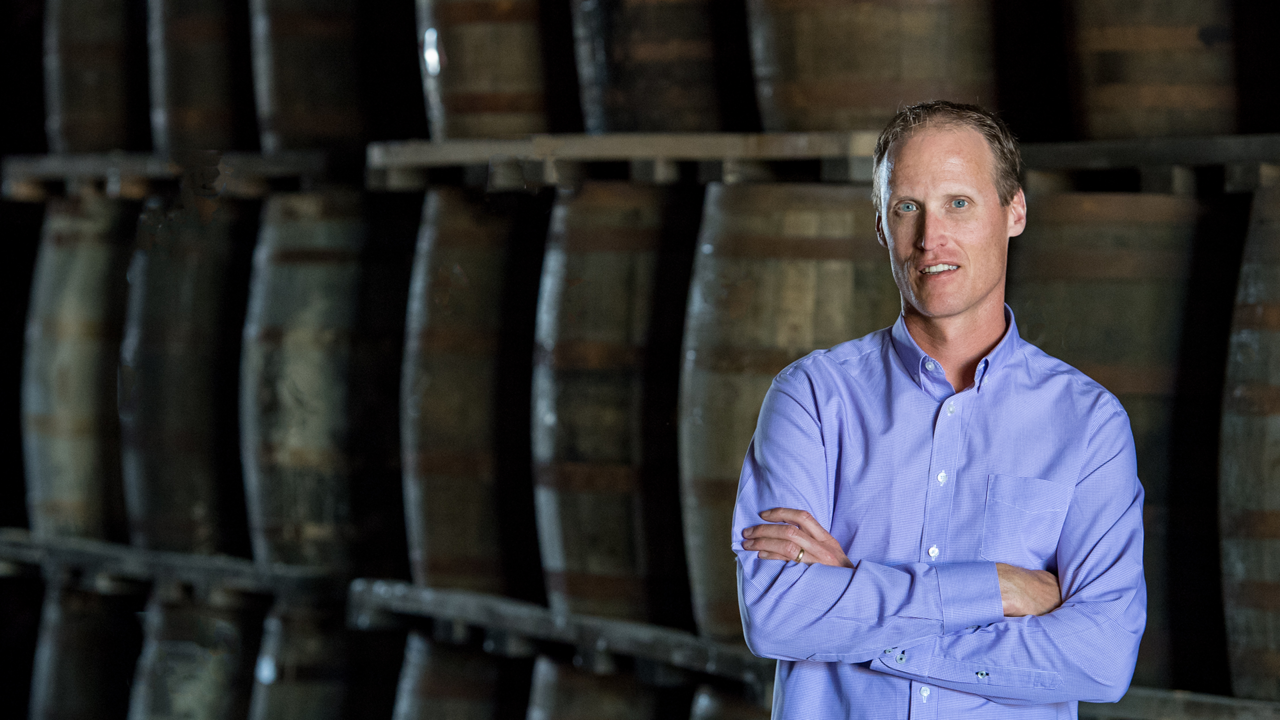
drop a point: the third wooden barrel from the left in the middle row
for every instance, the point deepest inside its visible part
(295, 372)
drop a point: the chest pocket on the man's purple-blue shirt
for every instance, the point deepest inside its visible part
(1023, 520)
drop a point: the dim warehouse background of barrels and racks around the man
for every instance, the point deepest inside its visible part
(399, 358)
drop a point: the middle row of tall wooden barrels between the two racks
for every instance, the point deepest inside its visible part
(778, 271)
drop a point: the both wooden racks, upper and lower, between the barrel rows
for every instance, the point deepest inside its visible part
(548, 161)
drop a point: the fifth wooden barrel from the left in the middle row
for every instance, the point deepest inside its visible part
(593, 323)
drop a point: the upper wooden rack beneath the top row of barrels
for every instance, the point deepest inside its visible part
(561, 160)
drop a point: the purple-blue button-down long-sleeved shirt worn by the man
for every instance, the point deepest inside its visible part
(926, 490)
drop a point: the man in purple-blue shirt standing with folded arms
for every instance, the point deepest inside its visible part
(953, 520)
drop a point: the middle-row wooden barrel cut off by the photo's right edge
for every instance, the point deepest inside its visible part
(1249, 487)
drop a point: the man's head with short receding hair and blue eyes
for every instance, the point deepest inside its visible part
(948, 202)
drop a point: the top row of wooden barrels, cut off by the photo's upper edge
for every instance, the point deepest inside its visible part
(1151, 69)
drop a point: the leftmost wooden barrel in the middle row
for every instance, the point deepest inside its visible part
(71, 429)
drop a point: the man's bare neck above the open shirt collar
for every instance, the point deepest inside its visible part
(961, 343)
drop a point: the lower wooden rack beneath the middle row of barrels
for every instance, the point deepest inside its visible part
(374, 604)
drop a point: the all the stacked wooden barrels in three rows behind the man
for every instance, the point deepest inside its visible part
(412, 408)
